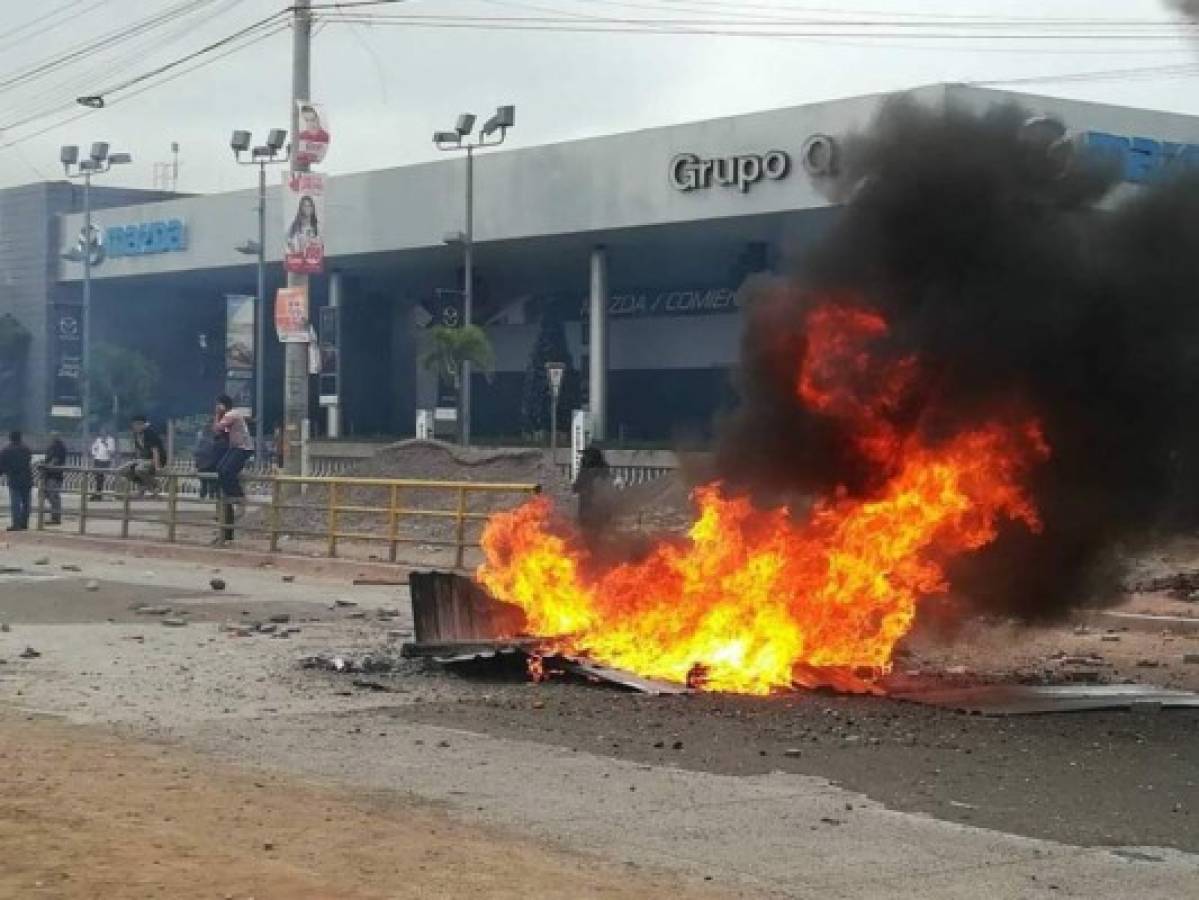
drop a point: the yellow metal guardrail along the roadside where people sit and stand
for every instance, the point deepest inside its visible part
(280, 494)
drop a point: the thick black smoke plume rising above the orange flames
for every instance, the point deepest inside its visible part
(1010, 265)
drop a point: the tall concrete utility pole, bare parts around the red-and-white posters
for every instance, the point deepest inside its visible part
(296, 373)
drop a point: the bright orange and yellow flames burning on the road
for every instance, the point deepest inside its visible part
(758, 600)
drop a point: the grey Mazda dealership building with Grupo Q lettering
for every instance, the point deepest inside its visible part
(636, 244)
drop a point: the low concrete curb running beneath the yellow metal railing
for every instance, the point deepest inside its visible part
(231, 558)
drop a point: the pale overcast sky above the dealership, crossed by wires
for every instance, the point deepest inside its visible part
(388, 88)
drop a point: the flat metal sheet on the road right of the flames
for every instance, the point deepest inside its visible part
(1040, 699)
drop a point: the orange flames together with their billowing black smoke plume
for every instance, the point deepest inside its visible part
(980, 385)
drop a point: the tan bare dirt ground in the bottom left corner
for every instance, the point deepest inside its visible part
(86, 814)
